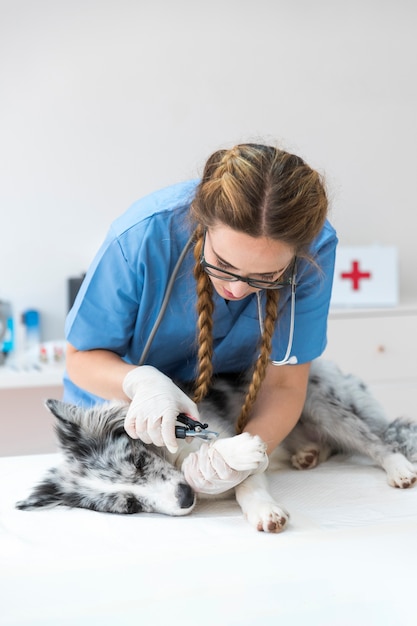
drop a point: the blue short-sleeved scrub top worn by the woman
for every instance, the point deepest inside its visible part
(124, 288)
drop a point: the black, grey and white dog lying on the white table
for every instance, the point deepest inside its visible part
(103, 469)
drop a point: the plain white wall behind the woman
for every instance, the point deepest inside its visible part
(102, 101)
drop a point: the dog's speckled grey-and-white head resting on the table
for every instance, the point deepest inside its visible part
(103, 469)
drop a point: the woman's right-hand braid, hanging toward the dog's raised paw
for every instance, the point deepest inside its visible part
(262, 361)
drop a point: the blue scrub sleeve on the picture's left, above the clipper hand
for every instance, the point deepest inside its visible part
(105, 310)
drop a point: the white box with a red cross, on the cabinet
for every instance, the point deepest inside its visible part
(365, 276)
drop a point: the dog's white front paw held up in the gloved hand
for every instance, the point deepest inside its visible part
(243, 452)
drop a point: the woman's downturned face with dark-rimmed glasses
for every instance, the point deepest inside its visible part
(255, 258)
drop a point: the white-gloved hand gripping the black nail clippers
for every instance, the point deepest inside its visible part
(156, 402)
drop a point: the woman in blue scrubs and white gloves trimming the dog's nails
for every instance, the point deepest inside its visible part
(223, 274)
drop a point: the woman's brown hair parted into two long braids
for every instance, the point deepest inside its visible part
(261, 191)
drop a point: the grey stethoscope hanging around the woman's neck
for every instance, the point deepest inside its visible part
(287, 360)
